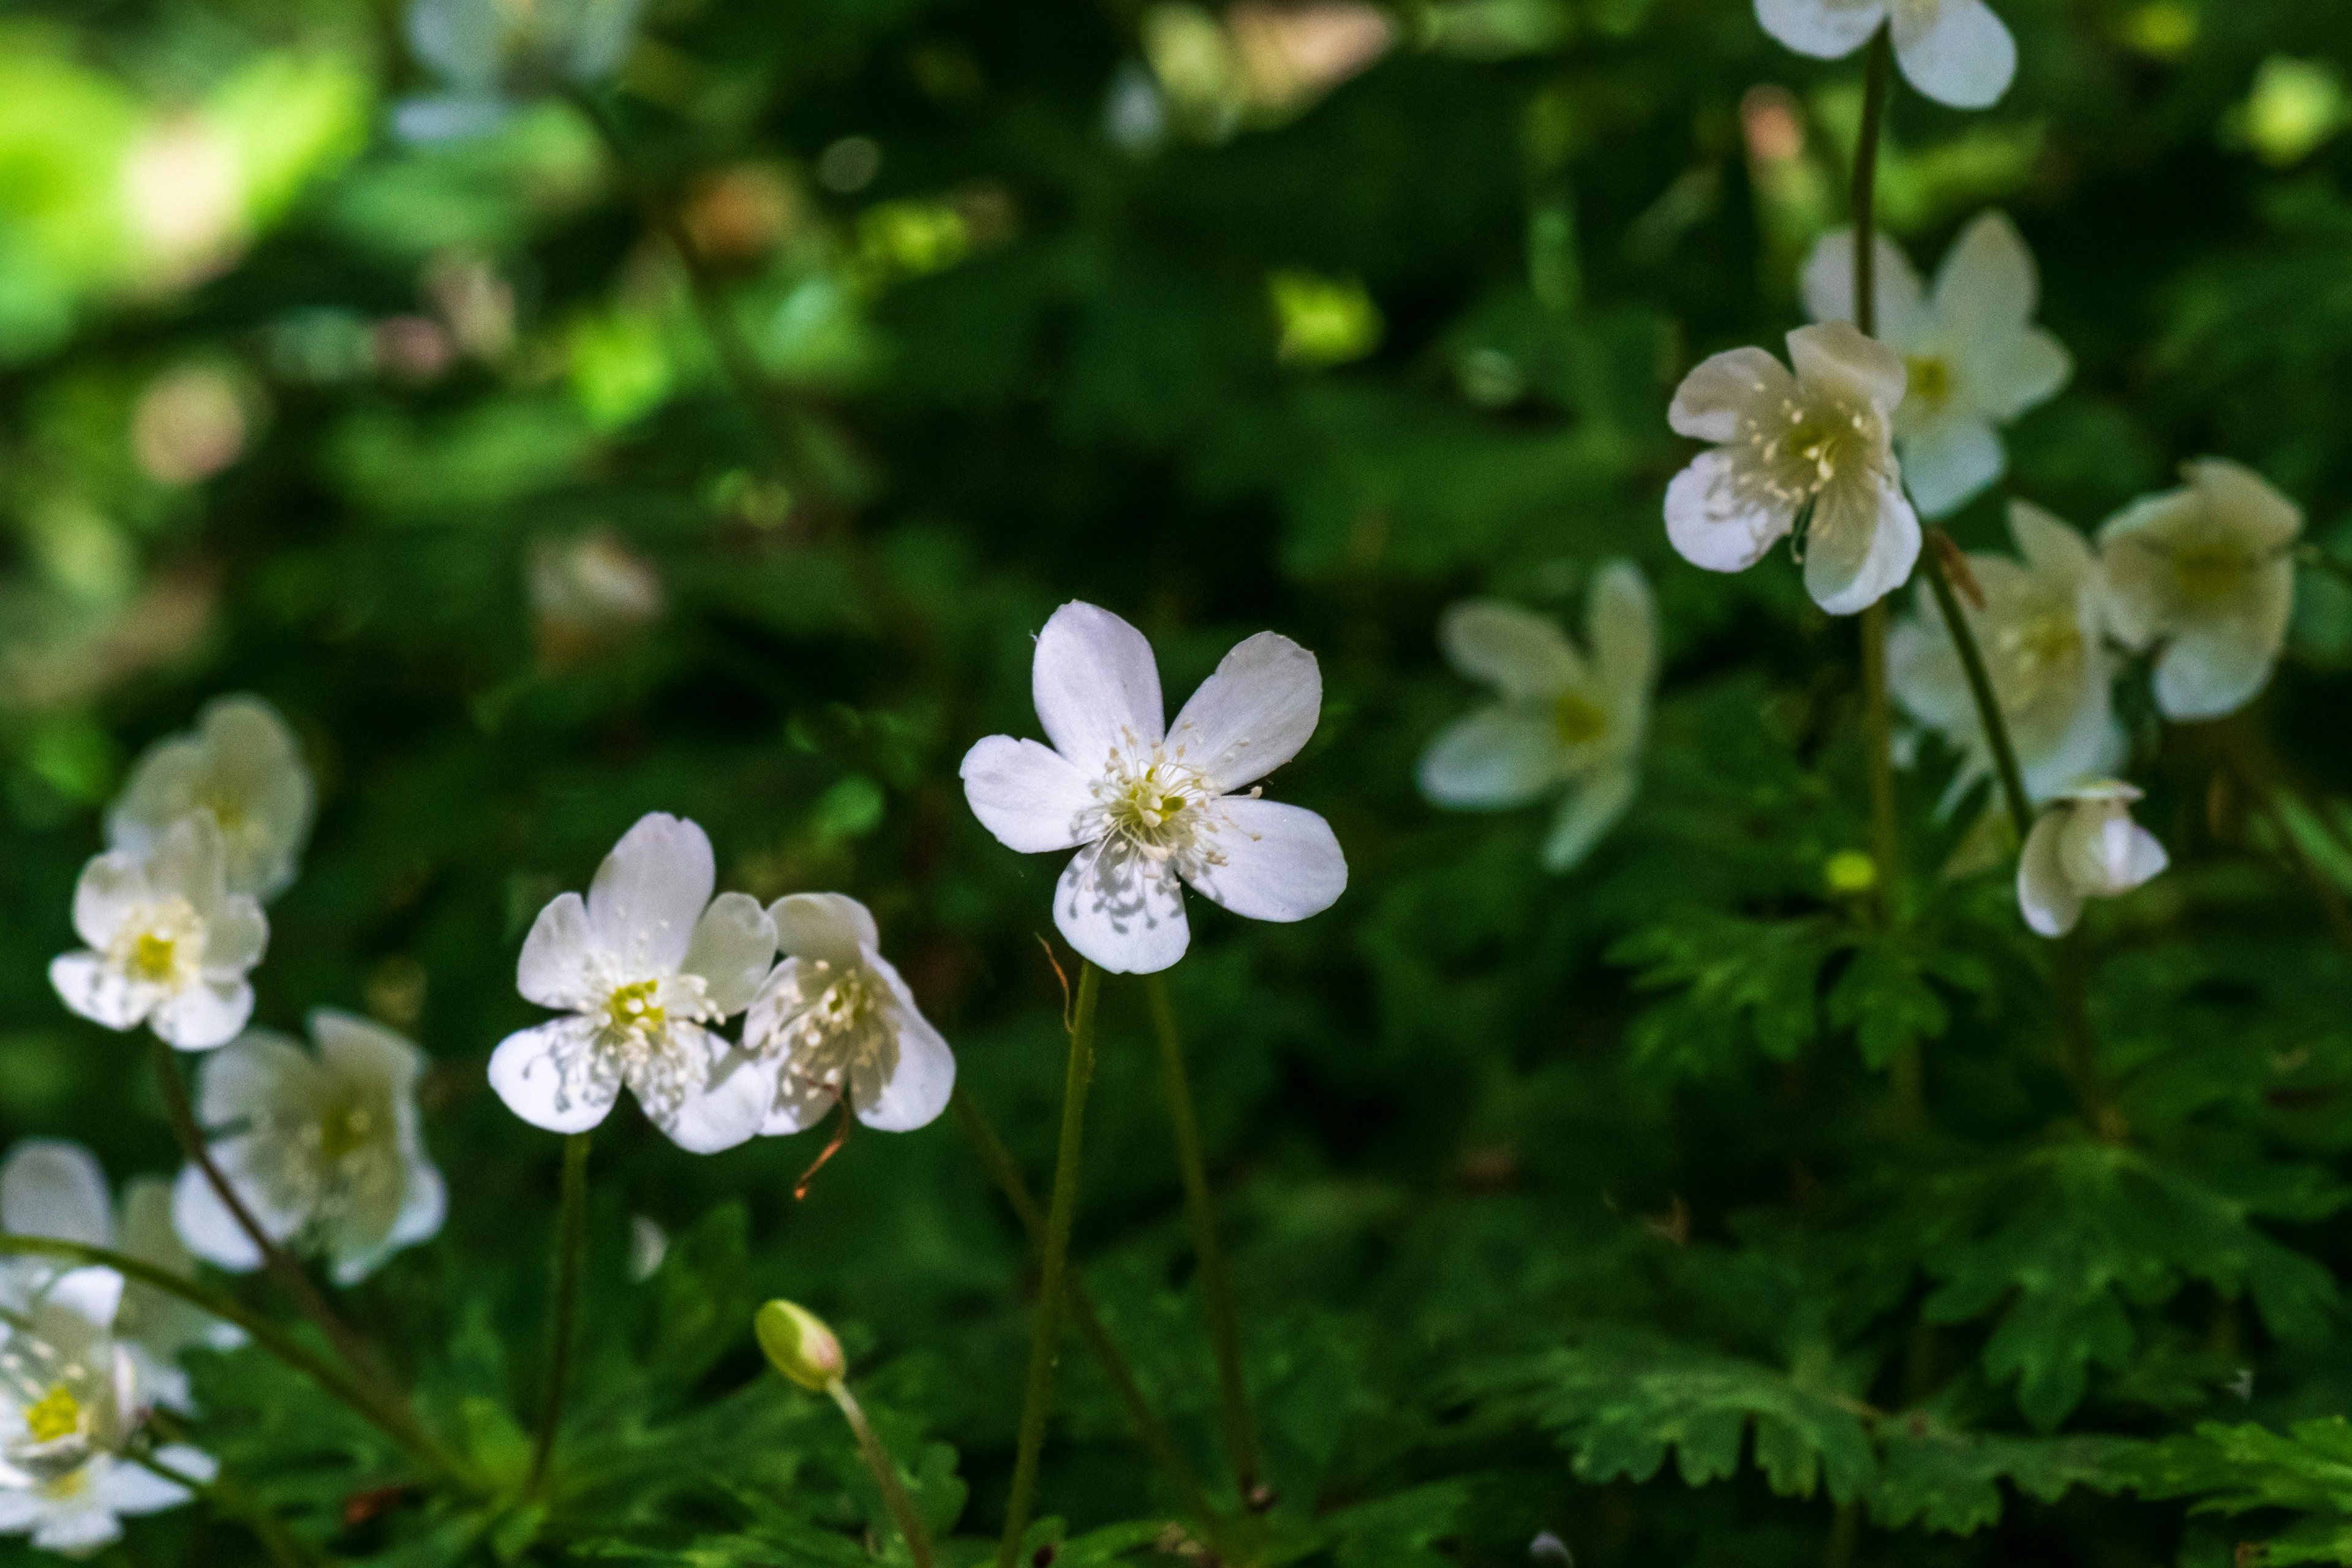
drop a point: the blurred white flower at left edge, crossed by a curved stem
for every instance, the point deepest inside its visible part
(55, 1188)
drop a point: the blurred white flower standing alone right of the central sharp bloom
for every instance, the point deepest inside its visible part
(1565, 723)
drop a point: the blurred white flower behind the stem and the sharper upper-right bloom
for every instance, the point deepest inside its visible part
(1972, 351)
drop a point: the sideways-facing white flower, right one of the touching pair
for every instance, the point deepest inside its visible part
(836, 1017)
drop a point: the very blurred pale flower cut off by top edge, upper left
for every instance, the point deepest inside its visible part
(490, 53)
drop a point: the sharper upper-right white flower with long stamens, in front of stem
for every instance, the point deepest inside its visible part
(1817, 441)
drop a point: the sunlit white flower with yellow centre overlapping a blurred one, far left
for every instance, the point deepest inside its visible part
(171, 946)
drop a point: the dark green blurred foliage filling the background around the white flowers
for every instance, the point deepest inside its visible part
(1671, 1207)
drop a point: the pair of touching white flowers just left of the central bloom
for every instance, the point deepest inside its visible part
(648, 963)
